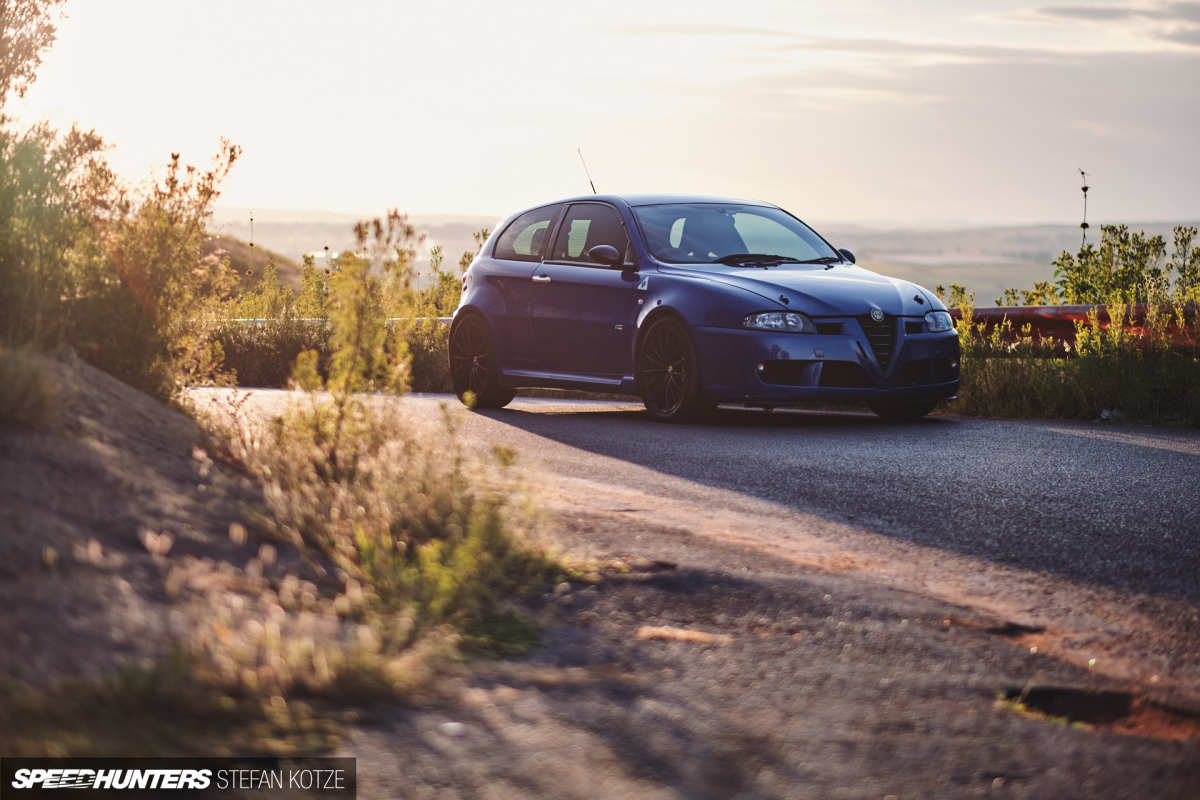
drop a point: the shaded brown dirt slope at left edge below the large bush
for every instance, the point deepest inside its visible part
(81, 509)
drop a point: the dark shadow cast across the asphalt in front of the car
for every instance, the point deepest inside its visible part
(1016, 494)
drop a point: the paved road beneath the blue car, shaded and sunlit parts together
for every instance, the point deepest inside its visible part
(1088, 531)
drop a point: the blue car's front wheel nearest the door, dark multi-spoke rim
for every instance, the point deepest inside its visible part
(668, 374)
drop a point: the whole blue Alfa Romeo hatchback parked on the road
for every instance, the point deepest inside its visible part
(689, 303)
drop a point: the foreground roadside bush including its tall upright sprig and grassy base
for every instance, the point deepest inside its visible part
(421, 537)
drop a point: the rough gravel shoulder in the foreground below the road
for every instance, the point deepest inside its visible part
(815, 687)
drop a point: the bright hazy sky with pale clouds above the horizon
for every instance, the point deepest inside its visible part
(920, 113)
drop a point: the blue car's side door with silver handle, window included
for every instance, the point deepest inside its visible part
(584, 312)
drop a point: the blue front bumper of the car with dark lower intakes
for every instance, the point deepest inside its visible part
(766, 368)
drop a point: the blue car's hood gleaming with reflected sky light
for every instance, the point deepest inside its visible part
(842, 291)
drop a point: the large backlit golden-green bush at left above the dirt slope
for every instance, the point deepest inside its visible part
(119, 276)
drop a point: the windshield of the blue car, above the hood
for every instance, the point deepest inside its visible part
(706, 233)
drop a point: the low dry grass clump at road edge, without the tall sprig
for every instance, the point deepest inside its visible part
(419, 546)
